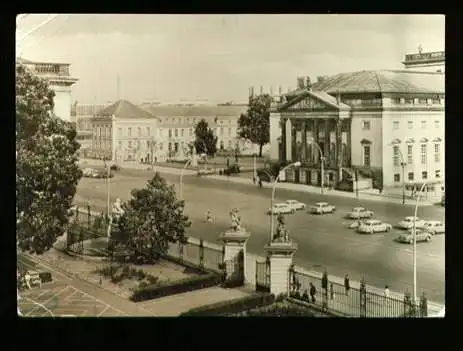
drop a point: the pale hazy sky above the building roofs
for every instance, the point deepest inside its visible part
(216, 58)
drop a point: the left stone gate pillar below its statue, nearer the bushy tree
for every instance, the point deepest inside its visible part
(234, 242)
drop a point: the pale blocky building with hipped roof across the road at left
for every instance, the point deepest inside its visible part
(124, 132)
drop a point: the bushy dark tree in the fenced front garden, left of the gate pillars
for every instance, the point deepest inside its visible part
(153, 218)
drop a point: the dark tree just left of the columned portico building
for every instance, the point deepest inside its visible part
(254, 125)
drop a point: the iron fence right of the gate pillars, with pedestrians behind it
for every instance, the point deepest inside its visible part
(352, 302)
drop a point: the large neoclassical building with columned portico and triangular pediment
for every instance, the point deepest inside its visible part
(387, 121)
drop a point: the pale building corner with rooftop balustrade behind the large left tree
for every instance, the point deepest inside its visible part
(60, 80)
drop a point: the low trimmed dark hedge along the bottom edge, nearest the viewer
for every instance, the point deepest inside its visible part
(231, 306)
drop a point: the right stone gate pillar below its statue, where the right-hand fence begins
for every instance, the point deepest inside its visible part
(281, 258)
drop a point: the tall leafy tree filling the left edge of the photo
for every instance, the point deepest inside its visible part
(47, 172)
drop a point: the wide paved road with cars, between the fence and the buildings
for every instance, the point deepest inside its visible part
(323, 240)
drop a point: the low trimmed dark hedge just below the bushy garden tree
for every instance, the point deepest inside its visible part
(180, 286)
